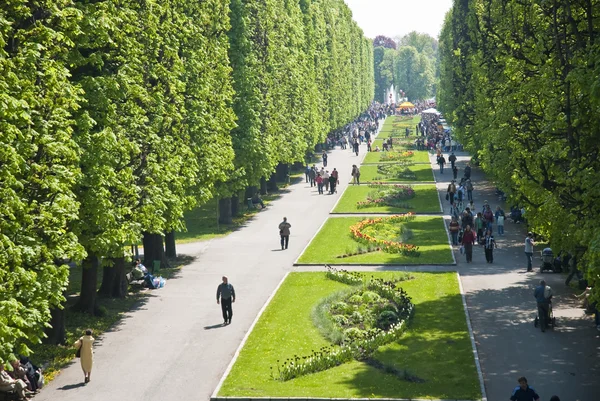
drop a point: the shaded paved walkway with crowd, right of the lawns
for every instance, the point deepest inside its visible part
(563, 362)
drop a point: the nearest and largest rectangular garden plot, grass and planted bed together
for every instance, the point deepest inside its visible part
(430, 356)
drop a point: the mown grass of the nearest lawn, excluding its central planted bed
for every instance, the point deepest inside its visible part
(435, 348)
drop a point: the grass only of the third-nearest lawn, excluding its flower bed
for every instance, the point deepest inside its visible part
(426, 200)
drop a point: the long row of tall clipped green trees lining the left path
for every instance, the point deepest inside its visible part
(116, 116)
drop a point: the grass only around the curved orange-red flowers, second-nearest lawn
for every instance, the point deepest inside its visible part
(334, 240)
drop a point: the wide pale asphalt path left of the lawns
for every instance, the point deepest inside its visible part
(173, 347)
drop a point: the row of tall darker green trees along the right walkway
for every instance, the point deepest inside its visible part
(519, 82)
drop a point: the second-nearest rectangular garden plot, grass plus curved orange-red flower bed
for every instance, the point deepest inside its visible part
(423, 241)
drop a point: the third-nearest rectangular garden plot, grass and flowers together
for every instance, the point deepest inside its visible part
(389, 198)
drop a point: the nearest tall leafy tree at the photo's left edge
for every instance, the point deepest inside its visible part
(39, 163)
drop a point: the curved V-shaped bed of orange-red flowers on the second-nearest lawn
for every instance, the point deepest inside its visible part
(358, 233)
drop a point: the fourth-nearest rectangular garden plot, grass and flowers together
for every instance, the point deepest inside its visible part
(396, 172)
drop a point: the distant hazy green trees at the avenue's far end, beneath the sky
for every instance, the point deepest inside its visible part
(410, 64)
